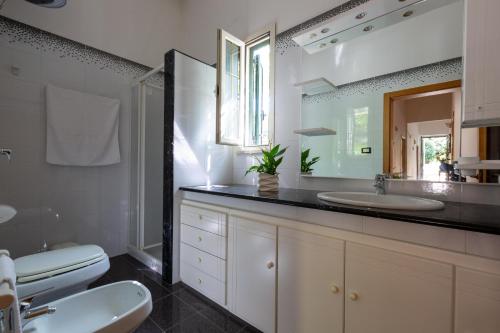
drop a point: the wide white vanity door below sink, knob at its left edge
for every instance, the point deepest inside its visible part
(388, 292)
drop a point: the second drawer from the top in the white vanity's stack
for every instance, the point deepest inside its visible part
(203, 240)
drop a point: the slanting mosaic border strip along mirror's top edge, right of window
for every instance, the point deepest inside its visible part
(284, 39)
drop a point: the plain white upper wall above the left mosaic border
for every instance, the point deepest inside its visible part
(140, 31)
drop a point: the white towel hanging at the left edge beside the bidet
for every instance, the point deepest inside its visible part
(8, 293)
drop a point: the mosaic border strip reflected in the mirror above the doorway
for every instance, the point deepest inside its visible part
(437, 72)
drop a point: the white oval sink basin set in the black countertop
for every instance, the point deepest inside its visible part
(387, 201)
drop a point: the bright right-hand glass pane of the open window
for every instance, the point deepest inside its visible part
(258, 104)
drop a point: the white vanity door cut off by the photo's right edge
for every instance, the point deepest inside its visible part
(477, 302)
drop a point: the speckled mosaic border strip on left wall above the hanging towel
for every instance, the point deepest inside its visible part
(42, 41)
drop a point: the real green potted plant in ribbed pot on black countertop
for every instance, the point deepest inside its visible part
(267, 168)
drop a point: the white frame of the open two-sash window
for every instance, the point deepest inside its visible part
(269, 30)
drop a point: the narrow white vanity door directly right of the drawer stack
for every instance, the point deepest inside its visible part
(252, 259)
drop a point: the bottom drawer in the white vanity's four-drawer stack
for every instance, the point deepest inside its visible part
(204, 283)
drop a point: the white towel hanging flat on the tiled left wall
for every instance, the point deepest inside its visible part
(82, 129)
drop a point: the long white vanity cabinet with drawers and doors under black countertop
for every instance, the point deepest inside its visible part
(288, 276)
